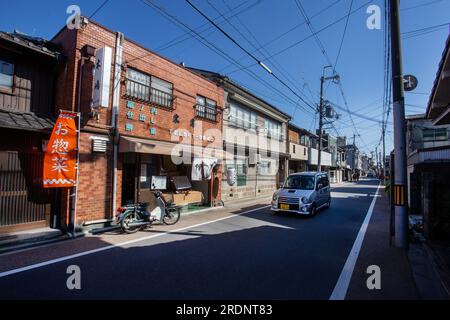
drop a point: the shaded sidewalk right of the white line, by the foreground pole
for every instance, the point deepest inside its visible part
(404, 275)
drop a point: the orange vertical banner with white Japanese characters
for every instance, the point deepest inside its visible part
(60, 158)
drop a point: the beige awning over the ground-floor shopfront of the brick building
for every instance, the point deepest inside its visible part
(139, 145)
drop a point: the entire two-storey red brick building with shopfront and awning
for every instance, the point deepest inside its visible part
(136, 108)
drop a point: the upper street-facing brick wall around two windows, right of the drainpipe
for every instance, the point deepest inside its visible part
(186, 85)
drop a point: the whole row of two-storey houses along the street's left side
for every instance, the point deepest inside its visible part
(146, 123)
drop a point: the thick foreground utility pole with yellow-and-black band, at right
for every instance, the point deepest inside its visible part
(401, 210)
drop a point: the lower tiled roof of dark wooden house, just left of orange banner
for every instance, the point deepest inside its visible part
(25, 121)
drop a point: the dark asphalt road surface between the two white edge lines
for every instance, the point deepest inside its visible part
(251, 256)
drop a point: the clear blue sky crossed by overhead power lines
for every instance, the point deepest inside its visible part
(360, 63)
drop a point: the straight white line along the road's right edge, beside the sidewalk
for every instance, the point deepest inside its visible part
(340, 290)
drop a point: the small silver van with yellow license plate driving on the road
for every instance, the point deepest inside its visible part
(303, 193)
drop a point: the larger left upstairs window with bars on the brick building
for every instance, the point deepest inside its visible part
(149, 88)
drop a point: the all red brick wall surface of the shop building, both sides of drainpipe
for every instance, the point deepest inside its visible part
(96, 171)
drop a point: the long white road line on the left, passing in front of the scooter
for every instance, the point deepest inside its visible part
(85, 253)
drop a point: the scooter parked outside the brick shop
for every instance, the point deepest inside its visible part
(135, 217)
